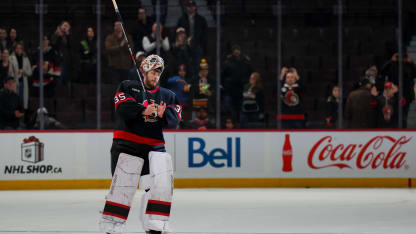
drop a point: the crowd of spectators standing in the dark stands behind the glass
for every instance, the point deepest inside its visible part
(373, 103)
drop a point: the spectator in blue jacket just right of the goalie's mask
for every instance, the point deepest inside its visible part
(178, 84)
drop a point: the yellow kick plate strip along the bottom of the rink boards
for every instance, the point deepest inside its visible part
(223, 183)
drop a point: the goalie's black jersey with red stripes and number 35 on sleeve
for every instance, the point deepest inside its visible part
(131, 125)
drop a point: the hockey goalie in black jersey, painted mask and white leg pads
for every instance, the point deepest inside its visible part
(138, 151)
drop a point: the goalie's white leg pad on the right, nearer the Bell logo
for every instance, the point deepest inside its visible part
(156, 203)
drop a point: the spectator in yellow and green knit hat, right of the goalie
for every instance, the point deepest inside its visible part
(202, 89)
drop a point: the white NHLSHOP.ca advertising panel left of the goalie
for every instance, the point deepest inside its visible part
(34, 156)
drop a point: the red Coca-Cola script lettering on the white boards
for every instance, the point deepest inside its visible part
(369, 155)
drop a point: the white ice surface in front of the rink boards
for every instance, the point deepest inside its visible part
(221, 211)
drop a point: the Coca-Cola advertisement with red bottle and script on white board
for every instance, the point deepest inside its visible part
(350, 154)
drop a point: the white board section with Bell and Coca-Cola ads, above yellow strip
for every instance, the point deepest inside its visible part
(295, 154)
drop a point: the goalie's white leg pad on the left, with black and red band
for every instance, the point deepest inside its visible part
(123, 187)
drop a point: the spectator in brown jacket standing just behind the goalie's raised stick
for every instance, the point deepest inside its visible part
(118, 55)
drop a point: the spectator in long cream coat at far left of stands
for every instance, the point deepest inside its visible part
(20, 69)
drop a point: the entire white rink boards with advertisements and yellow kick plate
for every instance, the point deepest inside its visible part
(74, 159)
